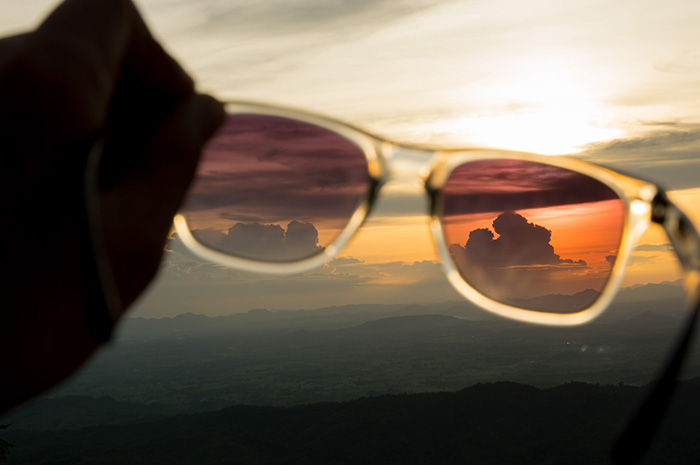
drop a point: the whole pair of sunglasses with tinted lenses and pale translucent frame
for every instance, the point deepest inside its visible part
(535, 238)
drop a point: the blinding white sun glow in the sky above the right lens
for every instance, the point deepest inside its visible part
(541, 104)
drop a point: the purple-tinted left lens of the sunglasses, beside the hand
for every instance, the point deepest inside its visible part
(275, 189)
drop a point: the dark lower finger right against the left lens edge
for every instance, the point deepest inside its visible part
(138, 211)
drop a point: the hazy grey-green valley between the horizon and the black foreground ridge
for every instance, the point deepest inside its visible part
(194, 363)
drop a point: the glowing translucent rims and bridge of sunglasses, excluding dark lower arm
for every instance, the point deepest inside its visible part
(387, 160)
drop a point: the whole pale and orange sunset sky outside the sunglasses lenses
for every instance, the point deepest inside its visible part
(616, 83)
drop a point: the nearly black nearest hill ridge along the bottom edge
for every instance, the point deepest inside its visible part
(496, 423)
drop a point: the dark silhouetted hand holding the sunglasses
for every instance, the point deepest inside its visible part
(91, 70)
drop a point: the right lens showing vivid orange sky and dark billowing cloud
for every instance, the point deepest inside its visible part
(532, 236)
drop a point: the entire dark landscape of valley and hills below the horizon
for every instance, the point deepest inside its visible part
(366, 384)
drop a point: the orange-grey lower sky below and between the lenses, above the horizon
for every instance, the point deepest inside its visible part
(392, 260)
